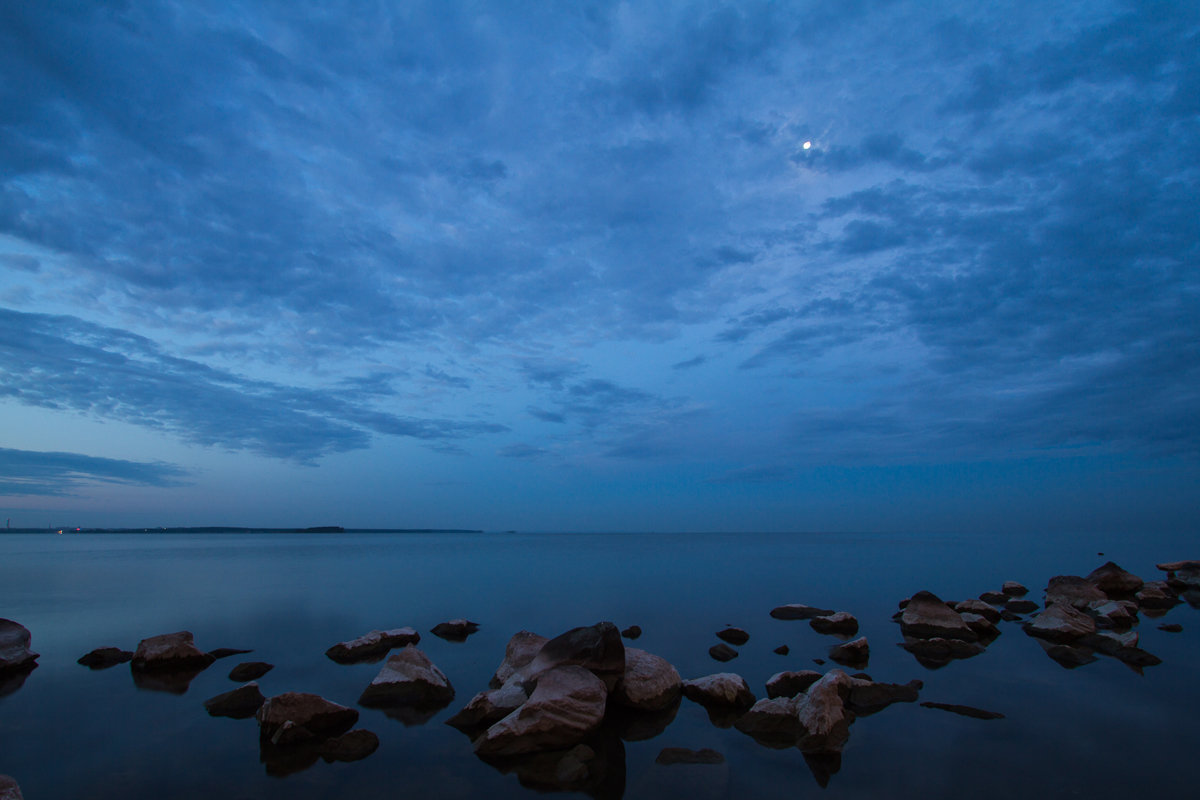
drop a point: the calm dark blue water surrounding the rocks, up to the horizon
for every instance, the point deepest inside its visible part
(1102, 730)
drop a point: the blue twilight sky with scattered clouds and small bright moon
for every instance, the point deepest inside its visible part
(856, 266)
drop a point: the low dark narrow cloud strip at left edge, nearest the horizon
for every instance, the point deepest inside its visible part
(59, 474)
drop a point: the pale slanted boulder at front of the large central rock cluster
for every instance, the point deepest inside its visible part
(567, 706)
